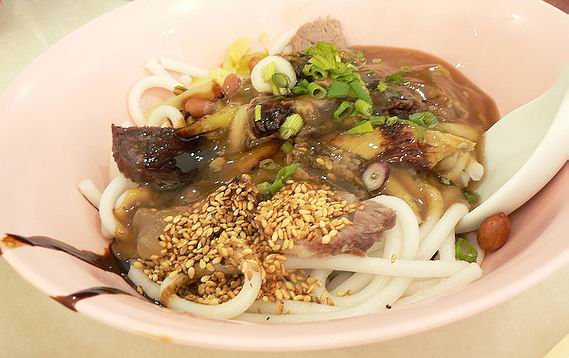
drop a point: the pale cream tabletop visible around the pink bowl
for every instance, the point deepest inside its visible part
(33, 325)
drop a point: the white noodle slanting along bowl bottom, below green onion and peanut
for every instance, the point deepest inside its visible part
(446, 285)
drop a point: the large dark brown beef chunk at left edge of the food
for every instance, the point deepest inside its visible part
(158, 157)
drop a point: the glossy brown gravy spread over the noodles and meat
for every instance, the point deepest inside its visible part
(431, 85)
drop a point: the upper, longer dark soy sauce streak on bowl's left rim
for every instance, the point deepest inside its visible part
(106, 262)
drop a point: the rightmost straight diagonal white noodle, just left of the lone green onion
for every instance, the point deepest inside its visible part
(440, 232)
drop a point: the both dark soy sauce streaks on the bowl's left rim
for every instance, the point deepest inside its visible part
(107, 262)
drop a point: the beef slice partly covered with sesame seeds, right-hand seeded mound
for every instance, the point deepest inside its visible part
(309, 219)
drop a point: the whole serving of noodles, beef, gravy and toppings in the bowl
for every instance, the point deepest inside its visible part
(300, 184)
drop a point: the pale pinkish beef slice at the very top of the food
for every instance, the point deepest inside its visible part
(322, 29)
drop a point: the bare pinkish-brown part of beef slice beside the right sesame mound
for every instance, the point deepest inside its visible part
(368, 227)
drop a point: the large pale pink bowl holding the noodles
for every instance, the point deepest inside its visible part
(56, 118)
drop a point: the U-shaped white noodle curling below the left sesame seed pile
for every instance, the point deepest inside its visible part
(227, 310)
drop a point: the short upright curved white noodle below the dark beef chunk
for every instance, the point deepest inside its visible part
(116, 188)
